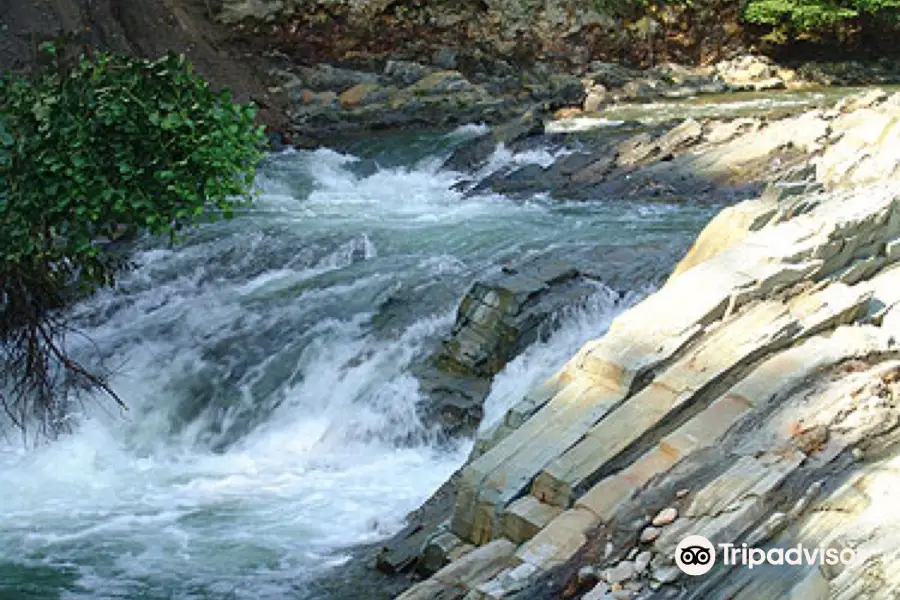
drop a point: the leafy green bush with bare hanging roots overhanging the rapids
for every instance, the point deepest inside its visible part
(89, 148)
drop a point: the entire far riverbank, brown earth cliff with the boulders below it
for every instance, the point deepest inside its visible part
(325, 71)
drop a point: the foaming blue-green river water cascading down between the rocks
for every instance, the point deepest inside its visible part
(272, 422)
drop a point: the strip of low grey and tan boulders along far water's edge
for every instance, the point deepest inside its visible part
(328, 101)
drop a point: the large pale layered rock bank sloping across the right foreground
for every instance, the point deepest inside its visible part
(752, 399)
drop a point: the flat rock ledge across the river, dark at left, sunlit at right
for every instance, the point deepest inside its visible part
(707, 161)
